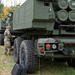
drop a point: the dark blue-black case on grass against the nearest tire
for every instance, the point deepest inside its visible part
(18, 69)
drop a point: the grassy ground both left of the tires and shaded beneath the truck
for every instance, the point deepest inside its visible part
(46, 67)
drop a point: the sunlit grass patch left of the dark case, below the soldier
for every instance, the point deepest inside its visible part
(6, 63)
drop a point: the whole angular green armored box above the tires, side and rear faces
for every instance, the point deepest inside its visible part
(31, 12)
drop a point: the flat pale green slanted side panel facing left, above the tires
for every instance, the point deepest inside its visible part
(23, 16)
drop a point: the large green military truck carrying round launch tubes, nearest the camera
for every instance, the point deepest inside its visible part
(46, 29)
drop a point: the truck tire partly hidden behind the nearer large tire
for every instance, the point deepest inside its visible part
(17, 43)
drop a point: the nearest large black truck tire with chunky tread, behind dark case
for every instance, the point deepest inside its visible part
(27, 56)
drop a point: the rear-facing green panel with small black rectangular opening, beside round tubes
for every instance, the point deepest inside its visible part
(42, 10)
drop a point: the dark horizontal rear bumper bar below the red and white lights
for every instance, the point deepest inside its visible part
(58, 55)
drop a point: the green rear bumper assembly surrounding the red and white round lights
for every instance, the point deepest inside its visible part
(60, 52)
